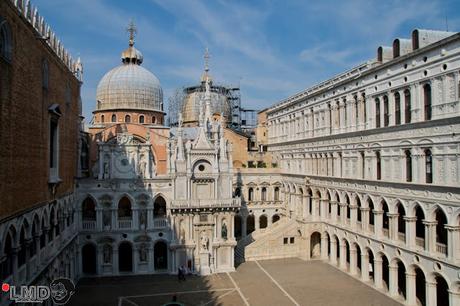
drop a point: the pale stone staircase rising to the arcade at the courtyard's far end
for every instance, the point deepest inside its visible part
(253, 246)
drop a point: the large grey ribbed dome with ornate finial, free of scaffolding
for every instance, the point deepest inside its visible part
(130, 86)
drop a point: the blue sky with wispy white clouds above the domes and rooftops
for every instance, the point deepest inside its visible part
(273, 49)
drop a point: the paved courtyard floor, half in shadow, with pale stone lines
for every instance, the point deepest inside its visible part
(269, 282)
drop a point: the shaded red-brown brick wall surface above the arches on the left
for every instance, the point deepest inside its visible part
(24, 120)
